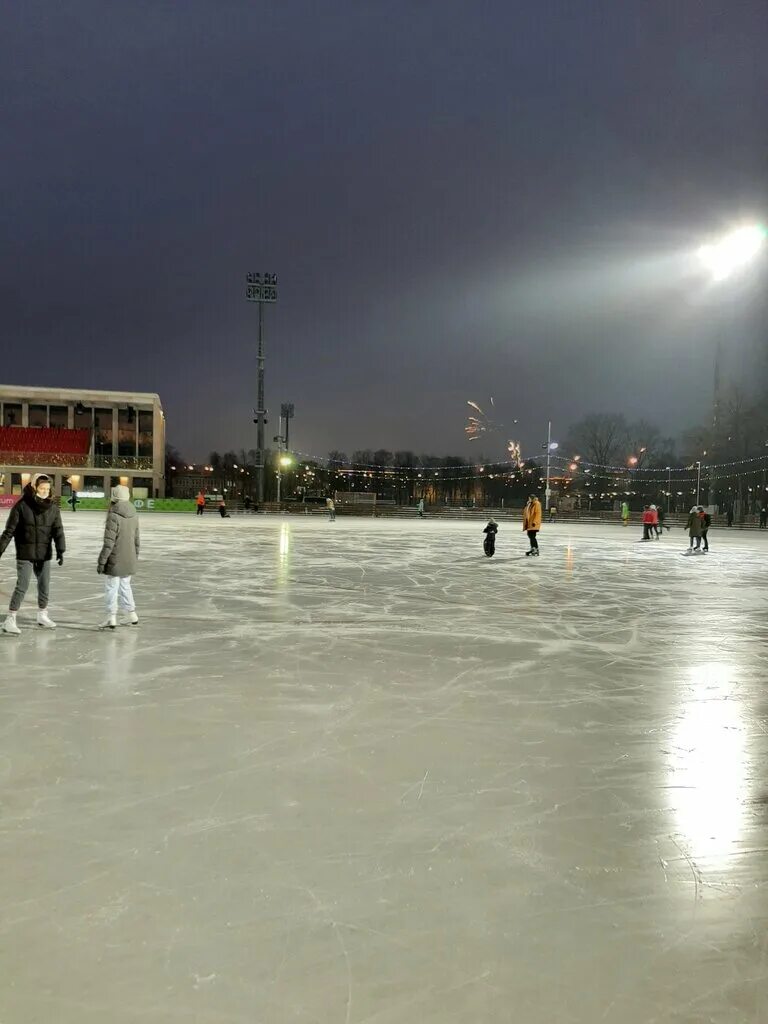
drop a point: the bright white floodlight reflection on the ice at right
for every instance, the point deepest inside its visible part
(709, 772)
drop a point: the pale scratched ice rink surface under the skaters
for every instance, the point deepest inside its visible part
(358, 774)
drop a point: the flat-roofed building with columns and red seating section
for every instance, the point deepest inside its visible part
(86, 441)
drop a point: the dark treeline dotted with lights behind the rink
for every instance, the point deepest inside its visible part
(604, 460)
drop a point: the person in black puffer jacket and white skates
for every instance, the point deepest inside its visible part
(35, 527)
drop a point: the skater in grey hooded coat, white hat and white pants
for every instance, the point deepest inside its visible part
(118, 561)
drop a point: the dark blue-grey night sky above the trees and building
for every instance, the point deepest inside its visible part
(461, 200)
